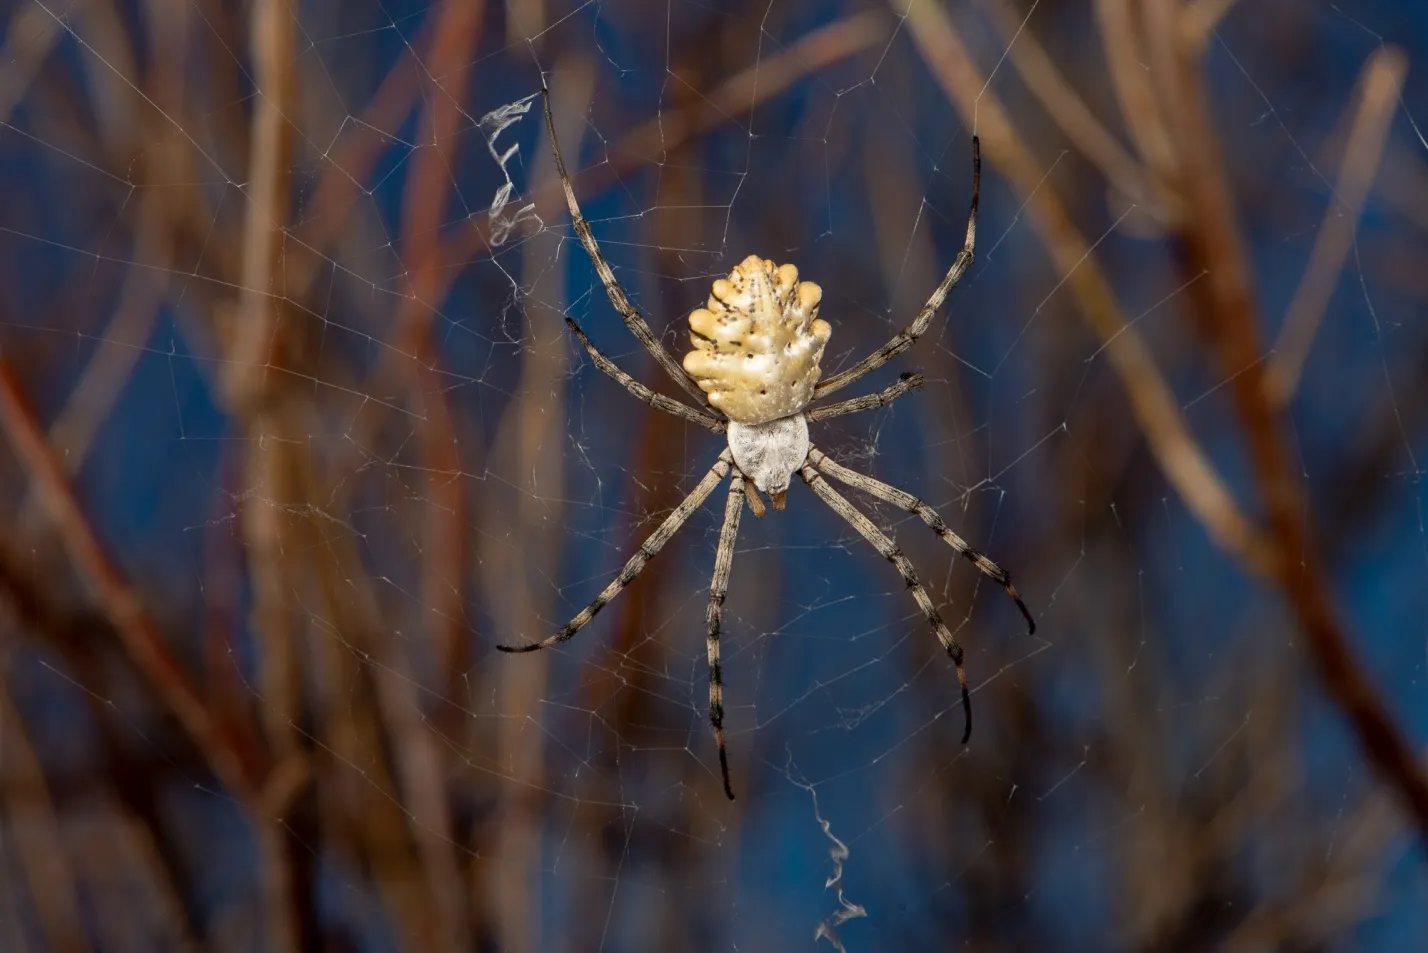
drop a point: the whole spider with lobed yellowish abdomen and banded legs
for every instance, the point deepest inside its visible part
(755, 374)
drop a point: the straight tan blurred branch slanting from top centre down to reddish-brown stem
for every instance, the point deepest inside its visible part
(1182, 459)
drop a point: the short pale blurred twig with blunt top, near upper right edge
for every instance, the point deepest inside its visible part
(1380, 88)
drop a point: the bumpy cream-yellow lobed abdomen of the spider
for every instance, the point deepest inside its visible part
(759, 341)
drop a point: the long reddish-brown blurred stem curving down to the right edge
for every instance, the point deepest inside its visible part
(1229, 316)
